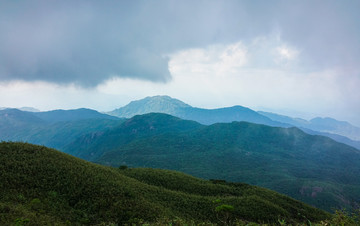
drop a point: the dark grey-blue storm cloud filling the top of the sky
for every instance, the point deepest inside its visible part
(87, 42)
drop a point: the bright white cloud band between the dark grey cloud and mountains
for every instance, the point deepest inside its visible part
(216, 76)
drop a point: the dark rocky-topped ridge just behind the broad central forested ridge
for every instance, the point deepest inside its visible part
(92, 146)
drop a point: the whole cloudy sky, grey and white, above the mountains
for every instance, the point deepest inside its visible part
(300, 58)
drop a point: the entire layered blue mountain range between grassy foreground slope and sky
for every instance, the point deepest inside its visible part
(314, 169)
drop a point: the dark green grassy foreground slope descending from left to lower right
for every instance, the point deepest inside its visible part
(41, 186)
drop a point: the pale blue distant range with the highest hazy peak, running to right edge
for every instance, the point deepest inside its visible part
(340, 131)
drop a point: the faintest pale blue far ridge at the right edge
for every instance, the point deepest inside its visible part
(325, 125)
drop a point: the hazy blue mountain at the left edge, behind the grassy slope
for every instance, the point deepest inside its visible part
(55, 128)
